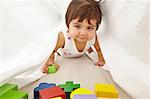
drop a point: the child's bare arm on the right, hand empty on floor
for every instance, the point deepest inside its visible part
(101, 60)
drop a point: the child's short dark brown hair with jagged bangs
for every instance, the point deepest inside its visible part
(84, 9)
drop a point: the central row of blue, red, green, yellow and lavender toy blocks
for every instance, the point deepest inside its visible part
(69, 90)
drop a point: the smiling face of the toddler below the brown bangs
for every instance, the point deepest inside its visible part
(82, 31)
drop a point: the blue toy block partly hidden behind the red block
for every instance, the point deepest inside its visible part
(40, 87)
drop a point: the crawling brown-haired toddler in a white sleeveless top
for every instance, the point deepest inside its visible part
(83, 18)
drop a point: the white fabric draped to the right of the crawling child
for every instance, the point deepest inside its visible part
(127, 24)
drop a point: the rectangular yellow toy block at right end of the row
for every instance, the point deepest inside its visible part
(106, 90)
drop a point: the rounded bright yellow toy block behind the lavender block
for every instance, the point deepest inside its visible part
(80, 91)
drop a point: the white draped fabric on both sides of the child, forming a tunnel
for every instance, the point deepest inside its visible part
(28, 33)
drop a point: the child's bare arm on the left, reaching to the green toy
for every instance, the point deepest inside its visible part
(60, 44)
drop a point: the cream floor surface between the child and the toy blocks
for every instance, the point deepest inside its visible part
(80, 70)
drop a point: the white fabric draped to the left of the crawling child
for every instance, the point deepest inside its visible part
(28, 35)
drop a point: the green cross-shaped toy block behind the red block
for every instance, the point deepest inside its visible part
(69, 87)
